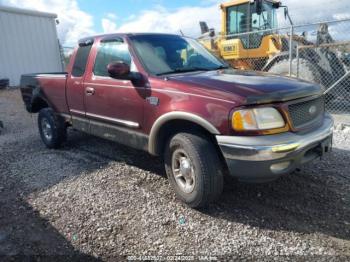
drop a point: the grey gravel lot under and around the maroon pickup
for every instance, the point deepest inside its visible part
(97, 200)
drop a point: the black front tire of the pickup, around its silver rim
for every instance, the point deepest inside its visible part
(207, 169)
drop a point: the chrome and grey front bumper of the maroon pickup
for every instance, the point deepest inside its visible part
(265, 152)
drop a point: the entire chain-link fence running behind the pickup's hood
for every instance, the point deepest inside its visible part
(316, 52)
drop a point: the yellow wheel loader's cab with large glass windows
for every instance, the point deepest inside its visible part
(240, 19)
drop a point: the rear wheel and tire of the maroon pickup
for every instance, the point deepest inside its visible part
(52, 128)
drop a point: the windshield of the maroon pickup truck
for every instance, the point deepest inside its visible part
(166, 54)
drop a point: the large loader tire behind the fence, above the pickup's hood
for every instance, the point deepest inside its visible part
(307, 71)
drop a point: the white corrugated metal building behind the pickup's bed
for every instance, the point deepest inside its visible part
(28, 43)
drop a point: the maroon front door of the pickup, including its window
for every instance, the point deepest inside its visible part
(114, 107)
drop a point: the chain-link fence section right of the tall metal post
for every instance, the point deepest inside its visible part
(325, 59)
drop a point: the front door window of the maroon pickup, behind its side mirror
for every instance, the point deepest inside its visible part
(111, 51)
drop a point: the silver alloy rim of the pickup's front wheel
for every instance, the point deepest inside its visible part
(183, 171)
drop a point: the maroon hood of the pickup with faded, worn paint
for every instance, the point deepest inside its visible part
(254, 87)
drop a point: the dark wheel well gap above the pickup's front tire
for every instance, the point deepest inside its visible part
(173, 127)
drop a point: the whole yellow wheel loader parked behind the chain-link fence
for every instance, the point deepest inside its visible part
(249, 40)
